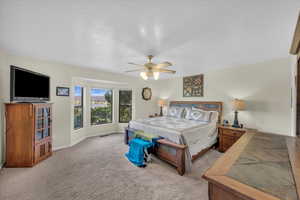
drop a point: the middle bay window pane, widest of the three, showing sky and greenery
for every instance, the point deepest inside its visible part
(101, 106)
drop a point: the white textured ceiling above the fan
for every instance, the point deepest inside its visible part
(196, 36)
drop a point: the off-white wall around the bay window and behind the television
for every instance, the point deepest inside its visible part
(63, 75)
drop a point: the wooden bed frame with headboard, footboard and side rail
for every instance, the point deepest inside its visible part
(178, 160)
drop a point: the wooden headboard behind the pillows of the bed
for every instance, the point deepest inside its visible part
(204, 105)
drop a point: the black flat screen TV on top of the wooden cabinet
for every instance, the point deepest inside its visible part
(28, 86)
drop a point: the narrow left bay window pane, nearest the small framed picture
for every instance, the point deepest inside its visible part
(78, 107)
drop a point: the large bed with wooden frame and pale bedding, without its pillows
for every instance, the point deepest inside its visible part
(184, 140)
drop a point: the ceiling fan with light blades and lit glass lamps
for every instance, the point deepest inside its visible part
(151, 69)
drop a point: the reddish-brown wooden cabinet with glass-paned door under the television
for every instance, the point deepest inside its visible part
(28, 133)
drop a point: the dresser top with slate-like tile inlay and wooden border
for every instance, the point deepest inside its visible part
(260, 166)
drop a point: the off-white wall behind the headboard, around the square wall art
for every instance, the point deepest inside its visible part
(266, 88)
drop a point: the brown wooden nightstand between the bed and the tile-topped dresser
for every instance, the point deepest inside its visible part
(228, 136)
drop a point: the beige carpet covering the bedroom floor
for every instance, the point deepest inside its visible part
(97, 169)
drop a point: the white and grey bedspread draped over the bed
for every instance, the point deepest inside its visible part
(196, 135)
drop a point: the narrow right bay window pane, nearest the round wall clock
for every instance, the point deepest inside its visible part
(125, 106)
